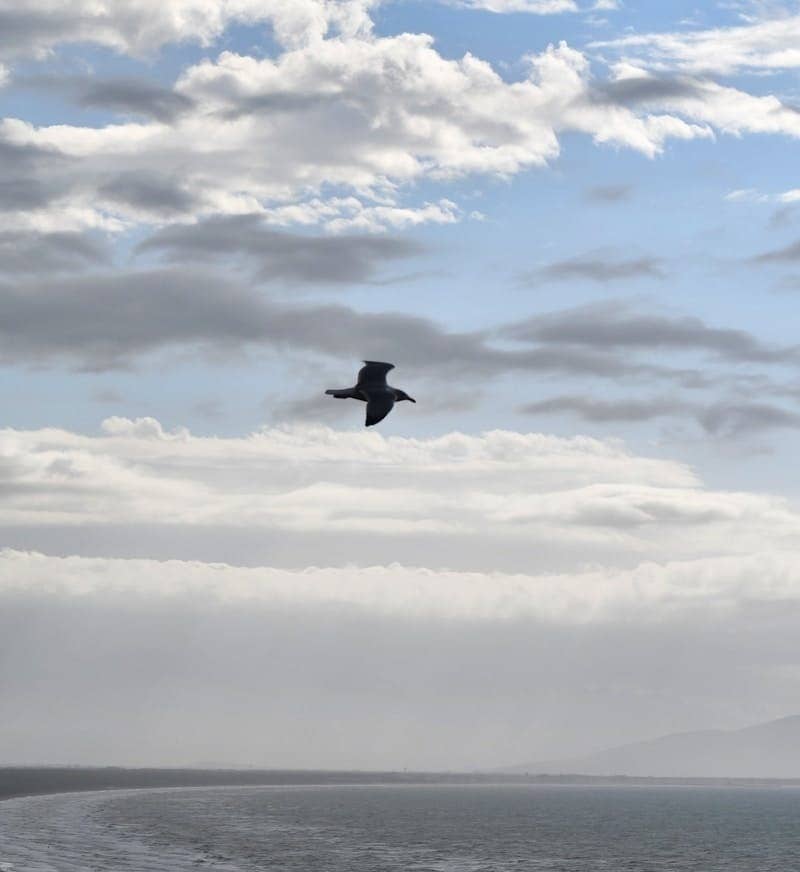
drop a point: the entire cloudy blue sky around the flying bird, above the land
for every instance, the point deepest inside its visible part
(572, 225)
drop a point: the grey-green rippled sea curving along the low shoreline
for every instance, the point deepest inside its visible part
(431, 828)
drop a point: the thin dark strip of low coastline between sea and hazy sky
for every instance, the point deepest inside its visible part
(19, 781)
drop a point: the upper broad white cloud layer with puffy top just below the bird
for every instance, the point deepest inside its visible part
(591, 499)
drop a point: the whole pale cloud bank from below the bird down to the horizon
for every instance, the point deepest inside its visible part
(459, 562)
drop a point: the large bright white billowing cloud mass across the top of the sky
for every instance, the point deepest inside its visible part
(356, 112)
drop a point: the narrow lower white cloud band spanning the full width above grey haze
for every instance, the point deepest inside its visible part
(650, 592)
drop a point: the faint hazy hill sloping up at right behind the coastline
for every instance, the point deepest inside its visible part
(770, 750)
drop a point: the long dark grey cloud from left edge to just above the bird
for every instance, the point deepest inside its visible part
(105, 320)
